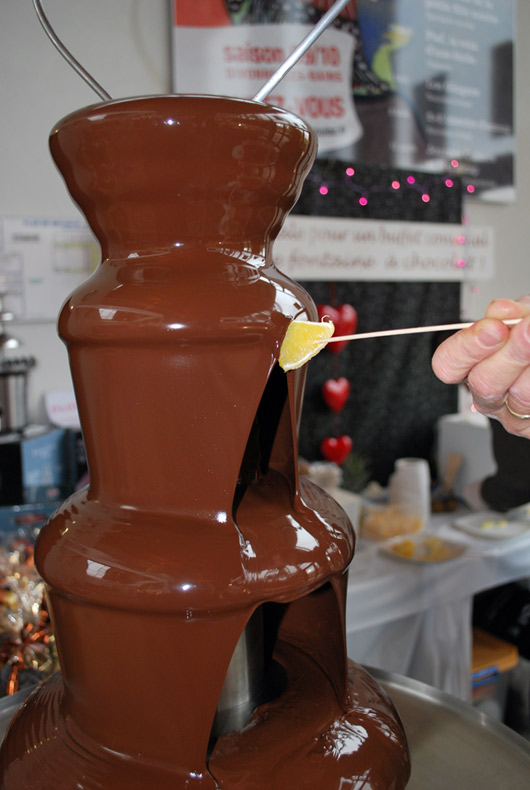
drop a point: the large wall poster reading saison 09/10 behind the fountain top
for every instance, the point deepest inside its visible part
(425, 84)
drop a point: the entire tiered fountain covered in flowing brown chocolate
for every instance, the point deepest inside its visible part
(197, 586)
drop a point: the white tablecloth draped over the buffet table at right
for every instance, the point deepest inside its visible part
(415, 619)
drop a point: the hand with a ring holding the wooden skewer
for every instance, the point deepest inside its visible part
(494, 361)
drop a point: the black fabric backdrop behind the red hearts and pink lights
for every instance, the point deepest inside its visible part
(395, 400)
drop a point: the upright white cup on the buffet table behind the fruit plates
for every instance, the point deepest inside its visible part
(410, 488)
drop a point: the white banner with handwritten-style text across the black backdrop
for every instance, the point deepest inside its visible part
(334, 248)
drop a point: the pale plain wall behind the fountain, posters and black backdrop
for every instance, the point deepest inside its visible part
(125, 45)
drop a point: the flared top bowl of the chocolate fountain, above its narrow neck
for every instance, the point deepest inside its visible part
(155, 171)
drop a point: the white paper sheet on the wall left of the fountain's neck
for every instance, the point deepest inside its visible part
(41, 262)
